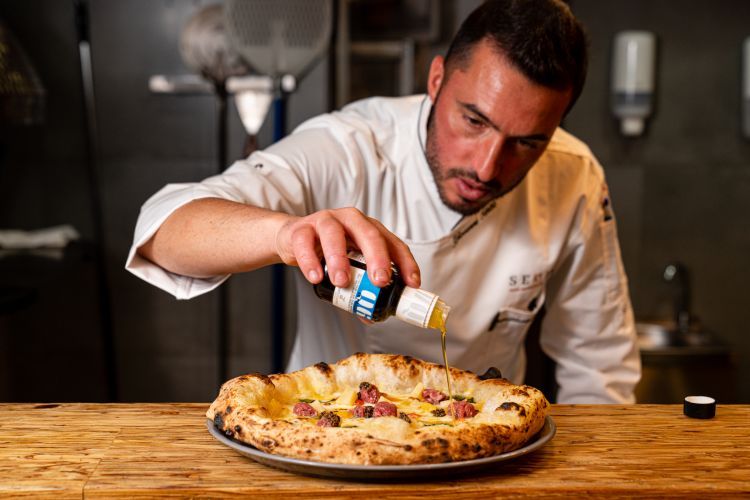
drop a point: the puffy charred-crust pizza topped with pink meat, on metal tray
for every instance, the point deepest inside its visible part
(380, 409)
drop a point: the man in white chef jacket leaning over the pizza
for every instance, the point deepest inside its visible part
(443, 186)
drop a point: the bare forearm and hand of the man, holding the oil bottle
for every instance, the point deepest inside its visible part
(211, 236)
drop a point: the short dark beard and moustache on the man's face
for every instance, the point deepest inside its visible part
(443, 174)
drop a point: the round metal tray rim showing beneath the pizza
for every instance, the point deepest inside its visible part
(374, 472)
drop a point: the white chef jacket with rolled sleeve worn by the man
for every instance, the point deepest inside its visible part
(551, 241)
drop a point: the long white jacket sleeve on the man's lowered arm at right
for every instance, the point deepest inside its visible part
(589, 327)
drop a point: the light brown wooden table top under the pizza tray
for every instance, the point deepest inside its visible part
(117, 450)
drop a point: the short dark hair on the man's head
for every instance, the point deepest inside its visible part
(542, 38)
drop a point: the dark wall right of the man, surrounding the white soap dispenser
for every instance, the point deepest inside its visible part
(682, 191)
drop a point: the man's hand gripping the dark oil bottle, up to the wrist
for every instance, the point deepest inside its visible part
(301, 241)
